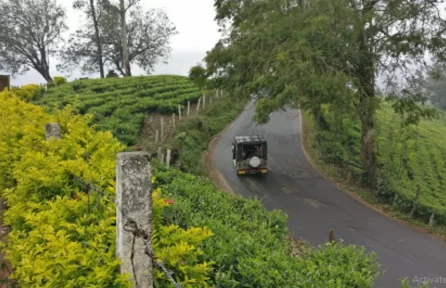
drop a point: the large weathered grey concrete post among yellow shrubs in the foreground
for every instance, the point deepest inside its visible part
(134, 216)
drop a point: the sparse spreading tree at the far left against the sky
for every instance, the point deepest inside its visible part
(30, 32)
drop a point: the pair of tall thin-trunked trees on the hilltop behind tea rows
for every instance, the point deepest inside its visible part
(148, 36)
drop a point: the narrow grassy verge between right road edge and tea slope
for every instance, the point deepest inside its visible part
(343, 180)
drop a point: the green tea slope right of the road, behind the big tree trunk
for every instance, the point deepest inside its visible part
(407, 156)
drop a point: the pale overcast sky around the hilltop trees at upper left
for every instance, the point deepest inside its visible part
(194, 20)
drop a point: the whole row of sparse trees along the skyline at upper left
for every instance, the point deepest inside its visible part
(113, 35)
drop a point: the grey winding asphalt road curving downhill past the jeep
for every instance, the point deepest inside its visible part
(315, 205)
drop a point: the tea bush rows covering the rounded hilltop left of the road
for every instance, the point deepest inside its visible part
(120, 104)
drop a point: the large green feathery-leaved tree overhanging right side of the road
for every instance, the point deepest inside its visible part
(325, 51)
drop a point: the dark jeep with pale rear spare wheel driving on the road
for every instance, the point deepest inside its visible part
(249, 154)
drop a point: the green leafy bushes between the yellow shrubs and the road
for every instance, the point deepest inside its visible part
(249, 245)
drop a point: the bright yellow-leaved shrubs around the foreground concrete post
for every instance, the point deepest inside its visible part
(61, 236)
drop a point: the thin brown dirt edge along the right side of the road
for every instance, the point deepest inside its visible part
(355, 195)
